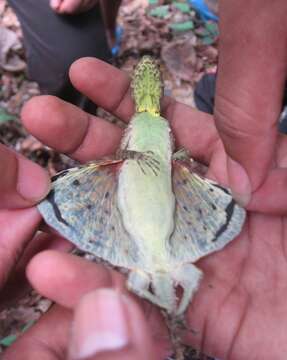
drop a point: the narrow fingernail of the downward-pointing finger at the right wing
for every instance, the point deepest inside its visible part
(239, 182)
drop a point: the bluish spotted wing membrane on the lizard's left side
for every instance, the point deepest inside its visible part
(82, 207)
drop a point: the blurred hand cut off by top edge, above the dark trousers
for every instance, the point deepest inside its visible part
(72, 6)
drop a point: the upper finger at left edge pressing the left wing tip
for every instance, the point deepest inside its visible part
(22, 182)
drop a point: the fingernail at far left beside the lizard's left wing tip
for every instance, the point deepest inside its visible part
(33, 181)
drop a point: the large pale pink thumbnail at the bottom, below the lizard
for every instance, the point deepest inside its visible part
(100, 324)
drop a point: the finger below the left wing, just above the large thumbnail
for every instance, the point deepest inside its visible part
(71, 272)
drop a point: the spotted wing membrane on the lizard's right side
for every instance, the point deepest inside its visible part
(206, 216)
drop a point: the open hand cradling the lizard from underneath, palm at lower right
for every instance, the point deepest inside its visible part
(241, 300)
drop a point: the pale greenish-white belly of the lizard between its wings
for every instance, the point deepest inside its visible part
(145, 197)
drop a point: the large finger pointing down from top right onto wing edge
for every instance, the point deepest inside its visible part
(249, 91)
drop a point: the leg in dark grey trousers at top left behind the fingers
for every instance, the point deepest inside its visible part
(54, 41)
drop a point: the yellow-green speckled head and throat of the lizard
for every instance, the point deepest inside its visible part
(147, 86)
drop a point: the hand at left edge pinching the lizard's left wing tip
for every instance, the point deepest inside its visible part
(22, 184)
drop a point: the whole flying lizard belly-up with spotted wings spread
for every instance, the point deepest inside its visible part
(144, 209)
